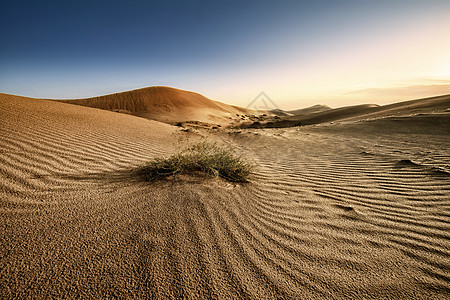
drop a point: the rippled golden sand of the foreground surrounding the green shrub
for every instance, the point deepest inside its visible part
(351, 210)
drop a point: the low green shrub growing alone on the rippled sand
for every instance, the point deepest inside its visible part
(205, 157)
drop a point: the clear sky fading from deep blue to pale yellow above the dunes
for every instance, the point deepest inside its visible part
(300, 53)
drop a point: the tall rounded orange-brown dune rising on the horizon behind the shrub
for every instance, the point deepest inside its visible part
(164, 104)
